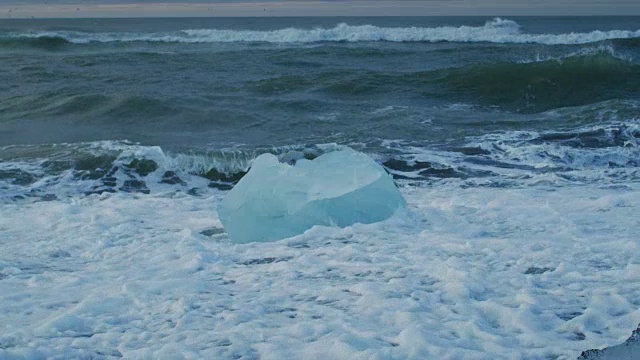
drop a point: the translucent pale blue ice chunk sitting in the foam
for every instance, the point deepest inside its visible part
(276, 200)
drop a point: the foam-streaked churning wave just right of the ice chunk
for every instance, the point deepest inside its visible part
(603, 153)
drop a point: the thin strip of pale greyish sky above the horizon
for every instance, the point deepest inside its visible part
(189, 8)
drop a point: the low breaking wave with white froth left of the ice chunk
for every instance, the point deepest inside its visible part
(45, 172)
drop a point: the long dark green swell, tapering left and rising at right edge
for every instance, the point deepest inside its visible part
(585, 77)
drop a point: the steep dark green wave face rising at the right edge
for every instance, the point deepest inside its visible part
(582, 78)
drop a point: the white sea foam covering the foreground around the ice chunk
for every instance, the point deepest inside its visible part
(476, 273)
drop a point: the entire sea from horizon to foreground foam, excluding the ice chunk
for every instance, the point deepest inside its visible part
(515, 141)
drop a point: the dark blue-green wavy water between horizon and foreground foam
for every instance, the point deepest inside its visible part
(87, 104)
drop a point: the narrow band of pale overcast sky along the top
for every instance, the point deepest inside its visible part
(304, 8)
